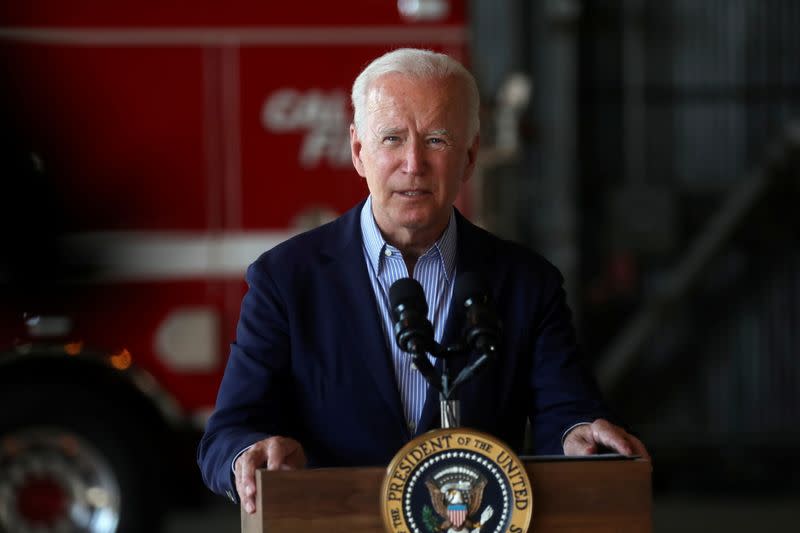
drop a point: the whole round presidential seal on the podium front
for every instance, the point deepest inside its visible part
(456, 481)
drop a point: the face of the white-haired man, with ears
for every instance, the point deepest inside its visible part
(414, 152)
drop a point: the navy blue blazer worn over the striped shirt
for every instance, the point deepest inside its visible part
(311, 361)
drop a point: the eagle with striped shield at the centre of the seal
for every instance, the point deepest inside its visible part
(456, 494)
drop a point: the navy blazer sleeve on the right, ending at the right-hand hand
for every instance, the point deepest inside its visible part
(564, 390)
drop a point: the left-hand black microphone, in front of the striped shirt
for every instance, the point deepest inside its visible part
(412, 329)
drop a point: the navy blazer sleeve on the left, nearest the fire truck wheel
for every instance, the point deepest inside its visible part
(253, 401)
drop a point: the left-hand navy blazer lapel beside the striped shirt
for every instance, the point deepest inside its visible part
(364, 332)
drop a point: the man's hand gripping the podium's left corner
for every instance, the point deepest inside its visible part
(276, 453)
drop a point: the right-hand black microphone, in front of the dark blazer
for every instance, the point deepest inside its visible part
(482, 328)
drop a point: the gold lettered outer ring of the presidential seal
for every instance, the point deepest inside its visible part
(438, 441)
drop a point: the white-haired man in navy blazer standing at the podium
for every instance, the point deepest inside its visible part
(315, 376)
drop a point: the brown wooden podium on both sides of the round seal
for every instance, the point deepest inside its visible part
(594, 494)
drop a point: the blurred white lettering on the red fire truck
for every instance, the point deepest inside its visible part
(324, 117)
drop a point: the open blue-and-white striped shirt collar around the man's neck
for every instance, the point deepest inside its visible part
(375, 245)
